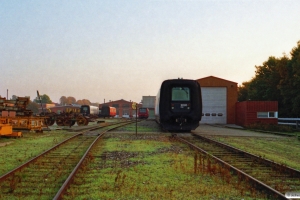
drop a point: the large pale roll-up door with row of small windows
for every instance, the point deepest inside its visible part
(214, 105)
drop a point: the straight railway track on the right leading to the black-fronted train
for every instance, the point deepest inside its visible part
(265, 175)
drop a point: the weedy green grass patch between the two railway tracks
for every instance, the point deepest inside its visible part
(148, 167)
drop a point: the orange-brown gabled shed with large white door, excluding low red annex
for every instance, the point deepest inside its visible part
(219, 97)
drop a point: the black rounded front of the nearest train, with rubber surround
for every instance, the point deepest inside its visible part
(180, 105)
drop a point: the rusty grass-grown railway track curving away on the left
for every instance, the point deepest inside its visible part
(49, 174)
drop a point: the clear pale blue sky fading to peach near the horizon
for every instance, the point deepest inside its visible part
(117, 49)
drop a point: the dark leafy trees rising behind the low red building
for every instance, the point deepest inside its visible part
(278, 79)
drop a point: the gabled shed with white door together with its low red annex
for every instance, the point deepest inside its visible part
(220, 105)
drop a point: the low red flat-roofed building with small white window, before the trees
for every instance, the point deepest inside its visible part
(250, 112)
